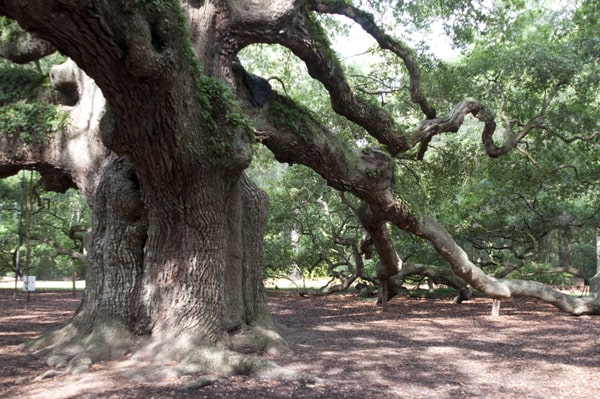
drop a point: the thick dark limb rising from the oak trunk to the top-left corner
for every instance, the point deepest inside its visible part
(127, 49)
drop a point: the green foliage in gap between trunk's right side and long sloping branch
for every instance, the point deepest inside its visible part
(310, 227)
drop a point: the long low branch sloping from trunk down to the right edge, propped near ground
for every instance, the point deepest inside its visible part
(301, 139)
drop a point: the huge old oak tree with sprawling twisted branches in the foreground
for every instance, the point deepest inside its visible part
(162, 117)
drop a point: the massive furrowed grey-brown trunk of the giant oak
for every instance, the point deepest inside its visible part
(176, 246)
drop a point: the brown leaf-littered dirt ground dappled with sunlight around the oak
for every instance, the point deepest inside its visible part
(419, 349)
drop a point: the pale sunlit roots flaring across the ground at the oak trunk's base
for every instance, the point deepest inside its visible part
(161, 357)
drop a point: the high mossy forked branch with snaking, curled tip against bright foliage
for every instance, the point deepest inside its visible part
(306, 39)
